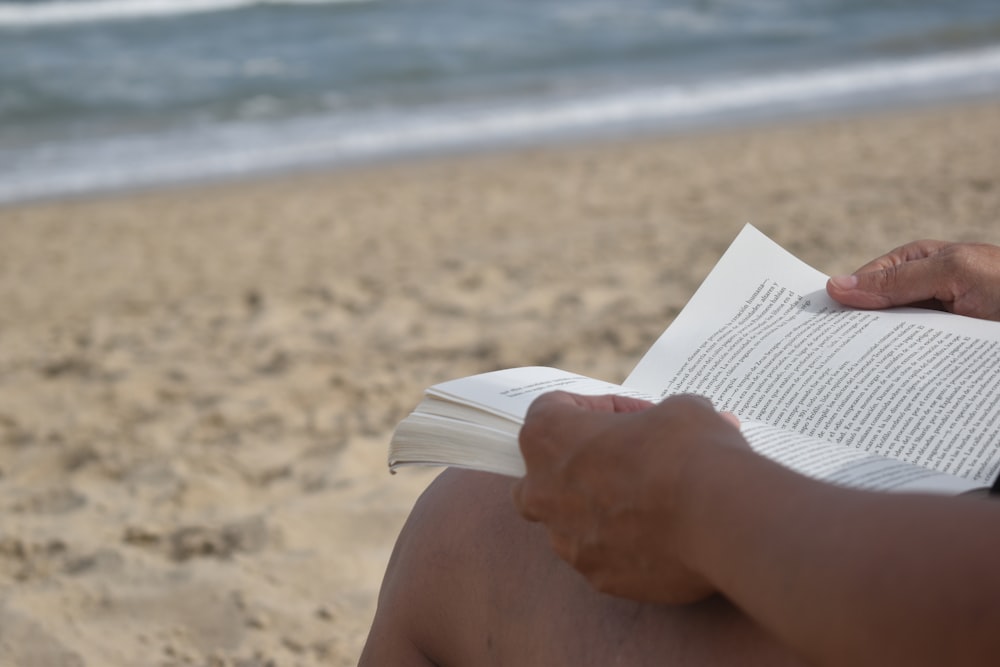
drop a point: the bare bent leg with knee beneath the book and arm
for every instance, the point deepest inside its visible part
(471, 583)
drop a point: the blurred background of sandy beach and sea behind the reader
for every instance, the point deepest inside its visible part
(198, 382)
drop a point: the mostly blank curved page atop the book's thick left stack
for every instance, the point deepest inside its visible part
(509, 392)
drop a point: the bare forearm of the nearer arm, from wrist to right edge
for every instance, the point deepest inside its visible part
(847, 577)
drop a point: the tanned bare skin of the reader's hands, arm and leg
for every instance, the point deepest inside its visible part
(681, 510)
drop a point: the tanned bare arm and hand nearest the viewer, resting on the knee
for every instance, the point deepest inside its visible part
(668, 504)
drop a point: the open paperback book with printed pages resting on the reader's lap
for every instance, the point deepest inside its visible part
(899, 400)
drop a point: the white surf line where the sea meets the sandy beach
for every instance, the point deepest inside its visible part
(321, 144)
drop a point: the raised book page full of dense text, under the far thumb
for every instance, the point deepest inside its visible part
(762, 339)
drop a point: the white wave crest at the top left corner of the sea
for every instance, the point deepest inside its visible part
(58, 13)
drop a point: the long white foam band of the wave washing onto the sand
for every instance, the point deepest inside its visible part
(238, 149)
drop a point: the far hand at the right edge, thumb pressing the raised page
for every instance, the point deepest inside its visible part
(962, 278)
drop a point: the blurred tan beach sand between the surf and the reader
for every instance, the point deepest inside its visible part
(197, 385)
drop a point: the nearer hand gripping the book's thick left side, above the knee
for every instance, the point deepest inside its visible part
(605, 475)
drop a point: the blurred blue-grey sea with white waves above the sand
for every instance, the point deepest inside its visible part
(99, 95)
